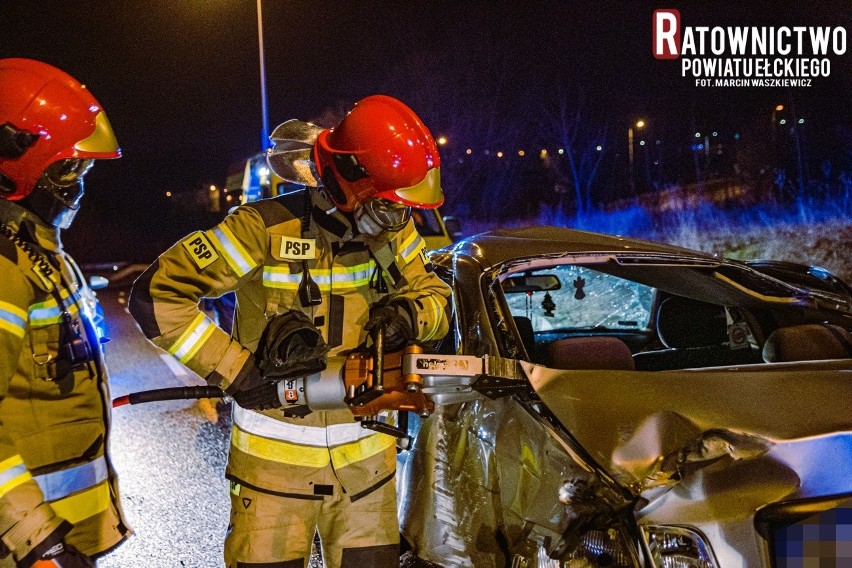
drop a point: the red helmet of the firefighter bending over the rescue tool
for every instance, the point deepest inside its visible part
(382, 150)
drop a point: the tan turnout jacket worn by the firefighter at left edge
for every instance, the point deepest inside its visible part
(54, 416)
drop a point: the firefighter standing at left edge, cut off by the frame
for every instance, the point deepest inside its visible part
(58, 491)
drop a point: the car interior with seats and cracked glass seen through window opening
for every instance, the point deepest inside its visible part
(570, 317)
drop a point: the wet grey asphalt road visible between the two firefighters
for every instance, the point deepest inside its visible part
(170, 456)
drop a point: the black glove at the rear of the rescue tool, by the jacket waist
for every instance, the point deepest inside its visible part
(291, 346)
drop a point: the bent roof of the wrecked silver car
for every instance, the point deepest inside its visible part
(697, 275)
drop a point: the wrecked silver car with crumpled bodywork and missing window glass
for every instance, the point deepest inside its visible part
(610, 402)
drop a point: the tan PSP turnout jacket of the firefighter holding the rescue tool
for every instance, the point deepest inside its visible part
(259, 251)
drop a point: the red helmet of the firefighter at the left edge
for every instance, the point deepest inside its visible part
(47, 117)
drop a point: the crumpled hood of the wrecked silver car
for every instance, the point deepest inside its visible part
(651, 430)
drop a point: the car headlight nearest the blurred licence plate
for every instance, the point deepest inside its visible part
(678, 547)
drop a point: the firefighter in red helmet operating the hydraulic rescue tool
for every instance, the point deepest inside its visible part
(342, 259)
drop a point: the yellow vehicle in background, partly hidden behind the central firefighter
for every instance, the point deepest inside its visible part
(252, 179)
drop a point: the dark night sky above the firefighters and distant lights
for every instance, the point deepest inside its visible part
(179, 79)
